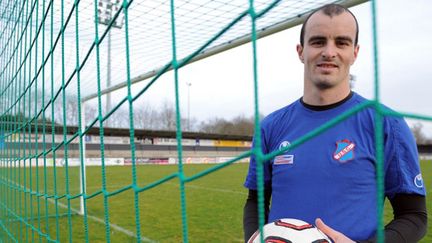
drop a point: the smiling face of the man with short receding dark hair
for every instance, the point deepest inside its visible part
(328, 50)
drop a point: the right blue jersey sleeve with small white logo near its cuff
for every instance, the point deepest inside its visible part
(403, 174)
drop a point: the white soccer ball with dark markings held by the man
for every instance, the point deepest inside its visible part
(290, 231)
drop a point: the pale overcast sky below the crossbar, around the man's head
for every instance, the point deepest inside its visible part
(222, 85)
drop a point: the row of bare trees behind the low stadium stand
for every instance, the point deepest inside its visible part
(145, 116)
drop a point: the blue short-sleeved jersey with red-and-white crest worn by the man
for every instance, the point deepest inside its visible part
(333, 176)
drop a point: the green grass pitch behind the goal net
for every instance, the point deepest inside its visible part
(214, 204)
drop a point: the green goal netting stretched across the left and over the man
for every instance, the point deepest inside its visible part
(40, 66)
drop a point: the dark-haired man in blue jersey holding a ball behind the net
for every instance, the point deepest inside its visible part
(331, 178)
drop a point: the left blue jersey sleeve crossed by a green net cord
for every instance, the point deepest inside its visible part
(251, 178)
